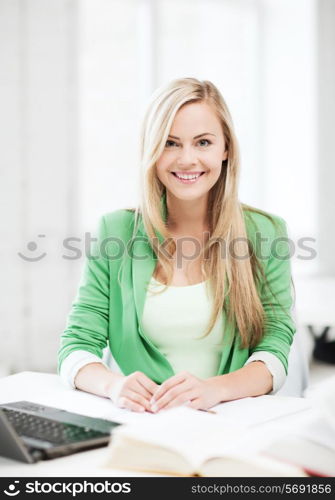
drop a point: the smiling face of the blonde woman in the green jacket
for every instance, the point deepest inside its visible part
(192, 158)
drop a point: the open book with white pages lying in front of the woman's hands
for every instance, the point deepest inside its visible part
(186, 442)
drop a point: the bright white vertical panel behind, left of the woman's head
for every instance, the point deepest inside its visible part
(109, 93)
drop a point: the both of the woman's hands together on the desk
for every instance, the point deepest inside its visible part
(139, 393)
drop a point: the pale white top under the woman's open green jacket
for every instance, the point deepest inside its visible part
(173, 321)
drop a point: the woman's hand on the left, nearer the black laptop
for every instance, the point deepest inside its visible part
(133, 391)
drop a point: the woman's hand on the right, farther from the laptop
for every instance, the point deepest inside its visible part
(185, 388)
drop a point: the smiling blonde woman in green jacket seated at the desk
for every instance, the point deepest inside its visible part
(223, 328)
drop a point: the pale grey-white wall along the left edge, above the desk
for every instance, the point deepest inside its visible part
(38, 125)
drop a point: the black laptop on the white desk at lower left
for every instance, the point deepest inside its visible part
(30, 432)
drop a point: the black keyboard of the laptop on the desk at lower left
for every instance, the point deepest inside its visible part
(58, 433)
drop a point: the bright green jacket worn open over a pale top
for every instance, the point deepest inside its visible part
(105, 313)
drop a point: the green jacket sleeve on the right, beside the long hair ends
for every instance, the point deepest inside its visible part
(276, 297)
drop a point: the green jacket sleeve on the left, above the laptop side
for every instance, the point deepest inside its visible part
(87, 323)
